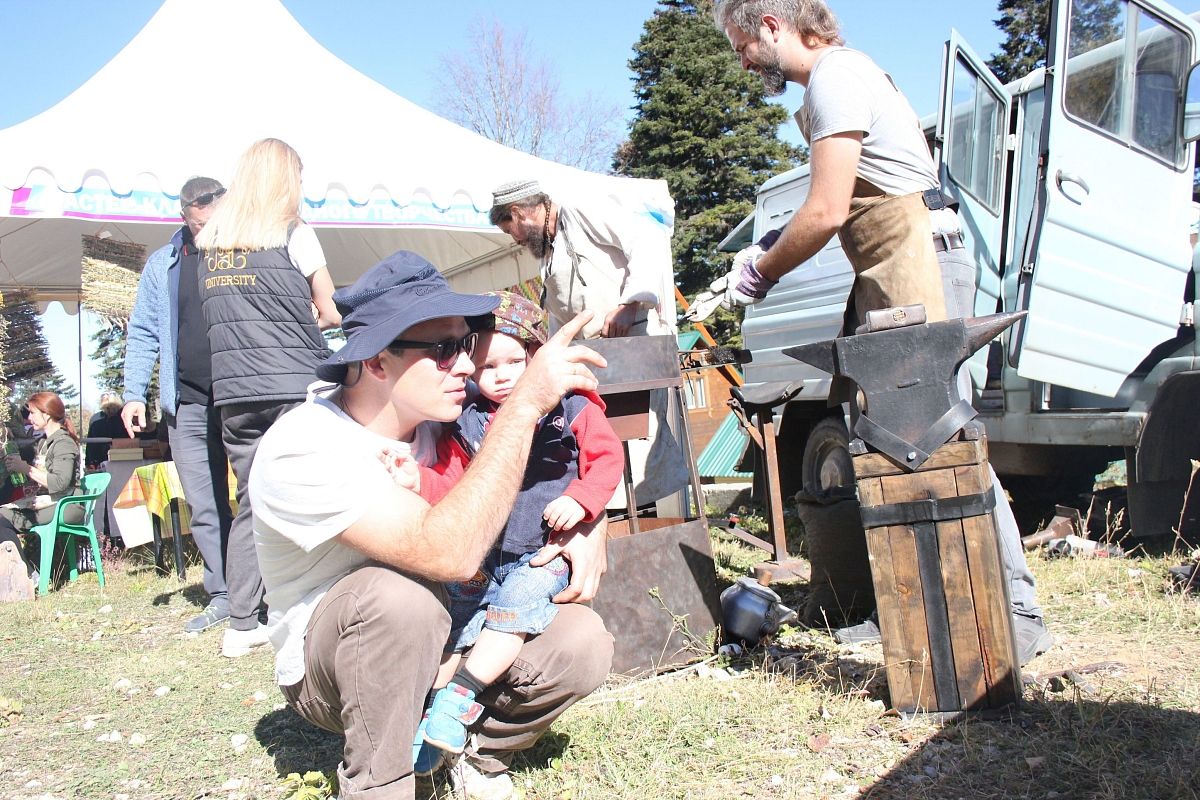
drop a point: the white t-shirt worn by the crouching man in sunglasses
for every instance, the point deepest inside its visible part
(315, 474)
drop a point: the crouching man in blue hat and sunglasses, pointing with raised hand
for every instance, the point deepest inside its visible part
(355, 563)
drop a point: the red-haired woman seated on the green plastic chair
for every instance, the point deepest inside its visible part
(55, 473)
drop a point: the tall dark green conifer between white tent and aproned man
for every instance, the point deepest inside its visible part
(704, 127)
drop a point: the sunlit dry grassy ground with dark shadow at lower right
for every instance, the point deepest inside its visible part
(103, 696)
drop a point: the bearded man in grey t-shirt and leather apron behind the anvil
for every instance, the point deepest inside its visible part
(875, 185)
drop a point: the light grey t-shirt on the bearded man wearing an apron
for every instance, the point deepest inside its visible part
(849, 93)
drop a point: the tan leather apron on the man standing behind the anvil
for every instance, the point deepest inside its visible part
(890, 242)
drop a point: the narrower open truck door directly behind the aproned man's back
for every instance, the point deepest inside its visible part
(973, 131)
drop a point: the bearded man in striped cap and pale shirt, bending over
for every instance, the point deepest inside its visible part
(599, 257)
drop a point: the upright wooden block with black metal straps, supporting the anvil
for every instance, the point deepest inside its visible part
(940, 586)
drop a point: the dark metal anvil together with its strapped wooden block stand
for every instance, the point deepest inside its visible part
(925, 486)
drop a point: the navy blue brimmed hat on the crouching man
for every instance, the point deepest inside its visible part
(395, 294)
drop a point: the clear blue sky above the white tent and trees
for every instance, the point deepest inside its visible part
(55, 46)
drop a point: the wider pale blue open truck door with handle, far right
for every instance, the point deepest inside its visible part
(1105, 276)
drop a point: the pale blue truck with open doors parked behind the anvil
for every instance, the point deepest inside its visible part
(1076, 190)
